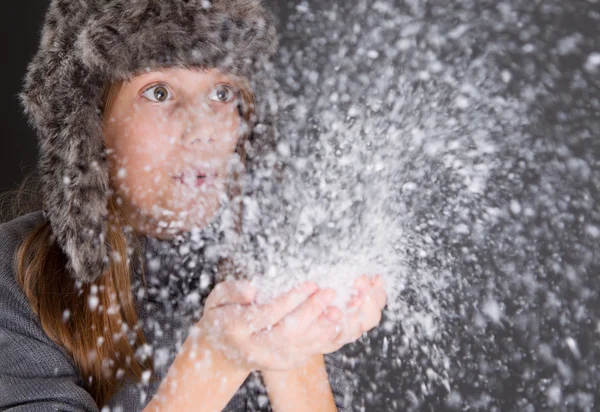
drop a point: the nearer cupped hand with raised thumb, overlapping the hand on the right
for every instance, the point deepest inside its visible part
(280, 335)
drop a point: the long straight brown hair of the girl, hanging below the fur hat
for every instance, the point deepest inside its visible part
(102, 339)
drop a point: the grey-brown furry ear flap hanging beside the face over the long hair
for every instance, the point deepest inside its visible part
(72, 161)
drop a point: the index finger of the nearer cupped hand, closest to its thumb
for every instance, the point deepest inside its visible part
(271, 313)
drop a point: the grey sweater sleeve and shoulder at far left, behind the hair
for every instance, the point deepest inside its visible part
(35, 373)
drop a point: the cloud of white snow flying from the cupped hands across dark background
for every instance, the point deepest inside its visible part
(425, 143)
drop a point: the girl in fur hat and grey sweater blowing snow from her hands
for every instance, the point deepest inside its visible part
(141, 109)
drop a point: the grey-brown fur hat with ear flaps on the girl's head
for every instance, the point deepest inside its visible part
(87, 43)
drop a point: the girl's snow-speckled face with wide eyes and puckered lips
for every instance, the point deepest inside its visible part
(170, 134)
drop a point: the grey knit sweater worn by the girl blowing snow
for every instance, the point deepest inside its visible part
(38, 375)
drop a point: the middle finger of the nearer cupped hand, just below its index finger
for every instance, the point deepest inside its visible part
(300, 320)
